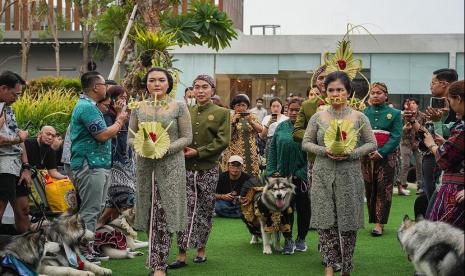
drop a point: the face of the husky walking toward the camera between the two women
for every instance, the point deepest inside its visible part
(277, 193)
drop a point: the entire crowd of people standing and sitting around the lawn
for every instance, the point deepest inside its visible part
(215, 150)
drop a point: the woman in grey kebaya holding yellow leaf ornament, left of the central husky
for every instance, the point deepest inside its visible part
(161, 204)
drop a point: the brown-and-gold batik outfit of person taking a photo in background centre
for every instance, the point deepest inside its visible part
(244, 144)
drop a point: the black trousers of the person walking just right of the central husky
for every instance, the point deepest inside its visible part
(301, 204)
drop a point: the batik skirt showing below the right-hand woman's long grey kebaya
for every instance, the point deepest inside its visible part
(337, 247)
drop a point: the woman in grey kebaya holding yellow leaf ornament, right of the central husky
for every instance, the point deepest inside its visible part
(337, 191)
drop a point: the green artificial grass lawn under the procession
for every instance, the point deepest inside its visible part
(229, 252)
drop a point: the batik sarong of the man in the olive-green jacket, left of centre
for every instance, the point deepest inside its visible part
(201, 187)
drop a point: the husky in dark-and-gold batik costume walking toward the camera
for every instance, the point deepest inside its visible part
(268, 216)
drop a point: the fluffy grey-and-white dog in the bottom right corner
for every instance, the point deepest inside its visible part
(435, 248)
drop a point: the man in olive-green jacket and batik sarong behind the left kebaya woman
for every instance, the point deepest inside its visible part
(211, 129)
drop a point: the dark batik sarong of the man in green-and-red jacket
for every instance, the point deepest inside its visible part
(379, 183)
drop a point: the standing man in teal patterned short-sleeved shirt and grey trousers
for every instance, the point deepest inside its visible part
(91, 148)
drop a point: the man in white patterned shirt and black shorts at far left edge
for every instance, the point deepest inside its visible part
(15, 174)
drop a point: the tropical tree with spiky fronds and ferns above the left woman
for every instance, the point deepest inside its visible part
(158, 28)
